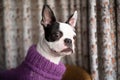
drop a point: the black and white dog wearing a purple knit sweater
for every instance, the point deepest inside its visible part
(43, 60)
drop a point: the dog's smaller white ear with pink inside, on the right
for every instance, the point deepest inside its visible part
(72, 19)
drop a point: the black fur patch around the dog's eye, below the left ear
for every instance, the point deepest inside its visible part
(52, 32)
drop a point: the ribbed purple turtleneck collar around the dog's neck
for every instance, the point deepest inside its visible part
(38, 63)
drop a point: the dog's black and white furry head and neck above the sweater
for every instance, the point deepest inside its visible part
(58, 38)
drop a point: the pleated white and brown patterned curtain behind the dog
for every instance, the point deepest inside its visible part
(98, 33)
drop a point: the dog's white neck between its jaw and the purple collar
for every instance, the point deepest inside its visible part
(44, 50)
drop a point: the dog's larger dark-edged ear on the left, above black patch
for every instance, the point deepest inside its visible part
(47, 16)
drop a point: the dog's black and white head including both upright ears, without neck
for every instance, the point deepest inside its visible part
(59, 36)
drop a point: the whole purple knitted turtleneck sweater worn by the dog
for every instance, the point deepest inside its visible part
(34, 67)
